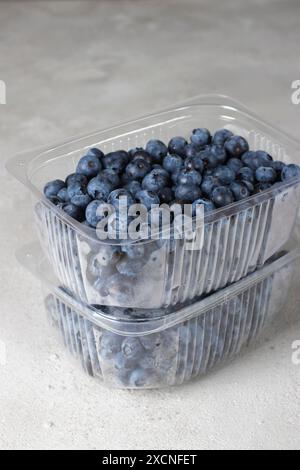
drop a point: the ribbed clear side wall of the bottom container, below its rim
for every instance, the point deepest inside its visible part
(173, 356)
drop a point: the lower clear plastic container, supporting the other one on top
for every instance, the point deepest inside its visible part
(128, 348)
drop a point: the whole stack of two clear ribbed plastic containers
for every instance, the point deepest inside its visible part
(188, 310)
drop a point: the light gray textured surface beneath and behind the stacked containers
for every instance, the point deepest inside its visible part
(77, 66)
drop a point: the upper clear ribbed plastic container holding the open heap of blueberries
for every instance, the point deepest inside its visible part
(237, 239)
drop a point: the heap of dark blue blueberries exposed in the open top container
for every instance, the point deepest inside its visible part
(212, 170)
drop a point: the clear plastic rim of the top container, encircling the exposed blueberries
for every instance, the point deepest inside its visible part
(19, 164)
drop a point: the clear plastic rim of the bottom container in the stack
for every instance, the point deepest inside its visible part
(29, 255)
